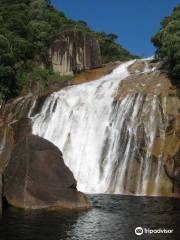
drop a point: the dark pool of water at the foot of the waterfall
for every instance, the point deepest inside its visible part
(113, 217)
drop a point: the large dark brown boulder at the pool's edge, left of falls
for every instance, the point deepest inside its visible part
(36, 177)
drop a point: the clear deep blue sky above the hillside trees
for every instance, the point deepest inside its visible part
(134, 21)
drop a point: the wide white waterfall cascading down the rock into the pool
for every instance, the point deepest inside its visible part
(102, 141)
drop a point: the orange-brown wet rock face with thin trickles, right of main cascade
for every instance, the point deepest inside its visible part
(156, 127)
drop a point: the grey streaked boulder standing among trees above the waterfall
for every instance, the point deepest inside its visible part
(73, 51)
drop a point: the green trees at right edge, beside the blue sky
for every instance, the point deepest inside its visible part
(167, 41)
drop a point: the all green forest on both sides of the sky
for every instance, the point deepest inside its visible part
(27, 27)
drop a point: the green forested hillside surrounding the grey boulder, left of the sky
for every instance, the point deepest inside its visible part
(26, 27)
